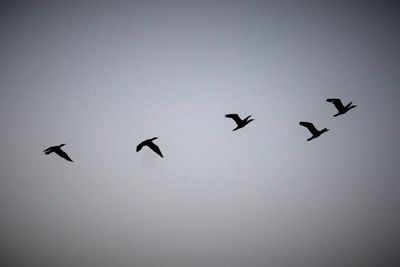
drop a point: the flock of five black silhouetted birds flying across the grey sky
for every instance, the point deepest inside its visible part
(240, 124)
